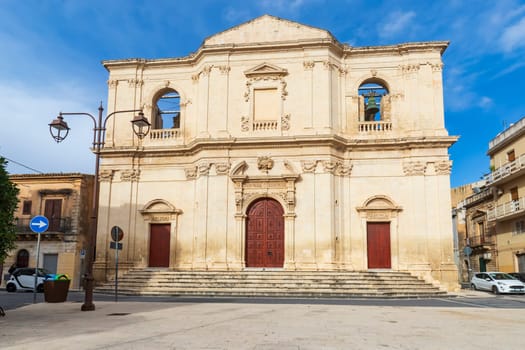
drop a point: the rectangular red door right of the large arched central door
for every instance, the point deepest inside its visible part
(378, 245)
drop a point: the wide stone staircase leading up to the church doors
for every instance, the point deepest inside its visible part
(297, 284)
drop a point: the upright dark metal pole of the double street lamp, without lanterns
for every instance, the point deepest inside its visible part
(92, 242)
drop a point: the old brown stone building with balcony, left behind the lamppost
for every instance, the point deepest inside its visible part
(65, 200)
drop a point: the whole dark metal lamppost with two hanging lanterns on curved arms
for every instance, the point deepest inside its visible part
(59, 131)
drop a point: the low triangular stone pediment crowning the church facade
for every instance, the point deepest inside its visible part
(267, 29)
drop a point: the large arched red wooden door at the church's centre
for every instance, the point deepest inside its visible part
(265, 234)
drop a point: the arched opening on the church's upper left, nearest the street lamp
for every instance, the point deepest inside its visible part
(167, 111)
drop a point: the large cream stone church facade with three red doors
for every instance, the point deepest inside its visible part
(276, 146)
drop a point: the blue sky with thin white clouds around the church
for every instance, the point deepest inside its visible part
(52, 49)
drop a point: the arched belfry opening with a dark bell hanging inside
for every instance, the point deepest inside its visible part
(374, 105)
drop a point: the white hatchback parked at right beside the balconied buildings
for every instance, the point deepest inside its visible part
(497, 282)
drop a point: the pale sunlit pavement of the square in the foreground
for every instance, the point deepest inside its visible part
(262, 326)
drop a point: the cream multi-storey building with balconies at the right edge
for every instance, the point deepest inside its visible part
(507, 159)
